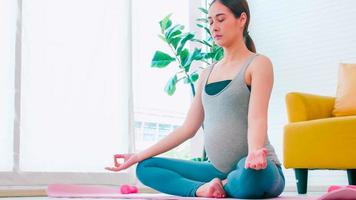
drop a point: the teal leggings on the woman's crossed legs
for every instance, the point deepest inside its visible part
(184, 177)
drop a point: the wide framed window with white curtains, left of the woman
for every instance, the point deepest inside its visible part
(73, 103)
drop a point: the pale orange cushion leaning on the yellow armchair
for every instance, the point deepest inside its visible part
(345, 103)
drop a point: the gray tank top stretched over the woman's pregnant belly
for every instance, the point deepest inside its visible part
(225, 122)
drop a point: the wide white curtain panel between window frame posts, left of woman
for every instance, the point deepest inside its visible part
(75, 84)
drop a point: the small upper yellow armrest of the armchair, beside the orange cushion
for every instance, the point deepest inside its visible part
(303, 107)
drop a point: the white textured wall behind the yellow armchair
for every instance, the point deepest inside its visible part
(306, 40)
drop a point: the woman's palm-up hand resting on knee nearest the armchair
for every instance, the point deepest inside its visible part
(257, 159)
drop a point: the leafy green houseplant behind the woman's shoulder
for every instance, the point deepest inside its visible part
(181, 57)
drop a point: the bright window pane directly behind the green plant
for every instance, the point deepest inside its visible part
(156, 112)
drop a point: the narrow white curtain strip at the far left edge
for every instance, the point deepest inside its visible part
(7, 63)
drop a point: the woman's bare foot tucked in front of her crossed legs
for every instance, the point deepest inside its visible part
(213, 189)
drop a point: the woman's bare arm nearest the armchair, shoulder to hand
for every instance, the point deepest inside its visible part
(261, 88)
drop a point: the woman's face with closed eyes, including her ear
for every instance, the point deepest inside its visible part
(224, 27)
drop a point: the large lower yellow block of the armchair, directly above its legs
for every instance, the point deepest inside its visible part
(327, 143)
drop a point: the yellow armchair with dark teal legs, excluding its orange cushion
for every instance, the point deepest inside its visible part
(314, 139)
